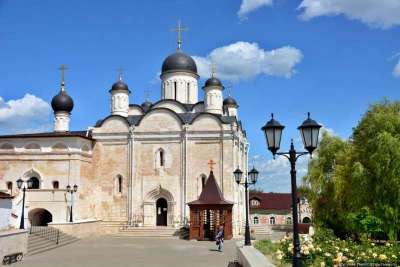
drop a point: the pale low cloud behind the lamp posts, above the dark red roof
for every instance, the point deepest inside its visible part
(275, 174)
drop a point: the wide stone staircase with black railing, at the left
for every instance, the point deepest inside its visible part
(44, 238)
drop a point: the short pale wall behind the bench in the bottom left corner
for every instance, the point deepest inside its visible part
(13, 241)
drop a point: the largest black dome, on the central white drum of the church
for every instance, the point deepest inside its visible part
(179, 61)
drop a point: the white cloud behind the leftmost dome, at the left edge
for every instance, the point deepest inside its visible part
(27, 114)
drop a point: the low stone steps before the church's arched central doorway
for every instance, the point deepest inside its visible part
(163, 232)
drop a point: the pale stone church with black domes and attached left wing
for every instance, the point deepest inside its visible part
(141, 165)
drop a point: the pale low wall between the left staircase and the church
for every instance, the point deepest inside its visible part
(80, 229)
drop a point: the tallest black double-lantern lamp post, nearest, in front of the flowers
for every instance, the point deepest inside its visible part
(309, 131)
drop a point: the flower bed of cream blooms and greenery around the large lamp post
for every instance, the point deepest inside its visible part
(322, 251)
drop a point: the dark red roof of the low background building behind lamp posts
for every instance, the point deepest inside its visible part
(272, 201)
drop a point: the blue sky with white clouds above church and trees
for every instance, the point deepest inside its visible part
(330, 57)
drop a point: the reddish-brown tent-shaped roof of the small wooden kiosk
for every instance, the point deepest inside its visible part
(211, 194)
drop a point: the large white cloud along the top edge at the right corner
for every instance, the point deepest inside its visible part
(376, 13)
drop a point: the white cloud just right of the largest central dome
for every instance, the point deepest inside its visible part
(244, 60)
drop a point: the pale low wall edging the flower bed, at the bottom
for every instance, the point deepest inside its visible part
(248, 256)
